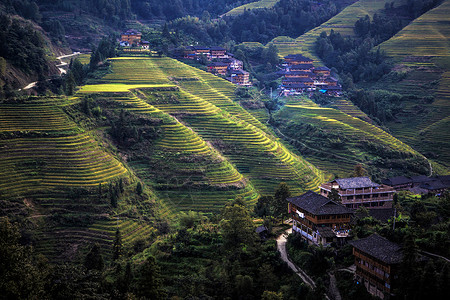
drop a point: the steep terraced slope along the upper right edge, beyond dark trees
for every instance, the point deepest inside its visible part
(422, 50)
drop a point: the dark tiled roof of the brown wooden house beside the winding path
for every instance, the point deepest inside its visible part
(318, 205)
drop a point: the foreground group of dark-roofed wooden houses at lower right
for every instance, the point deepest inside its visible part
(322, 221)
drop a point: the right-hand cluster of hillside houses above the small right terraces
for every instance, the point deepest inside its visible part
(300, 76)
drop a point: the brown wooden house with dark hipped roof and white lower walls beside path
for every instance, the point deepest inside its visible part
(318, 219)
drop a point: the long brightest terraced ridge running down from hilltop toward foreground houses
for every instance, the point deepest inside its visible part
(204, 104)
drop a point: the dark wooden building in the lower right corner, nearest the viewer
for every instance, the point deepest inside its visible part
(377, 263)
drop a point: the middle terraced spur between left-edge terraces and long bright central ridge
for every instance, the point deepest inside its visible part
(185, 171)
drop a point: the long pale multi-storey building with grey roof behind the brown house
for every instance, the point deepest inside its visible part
(360, 191)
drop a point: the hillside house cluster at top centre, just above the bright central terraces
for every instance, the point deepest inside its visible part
(221, 62)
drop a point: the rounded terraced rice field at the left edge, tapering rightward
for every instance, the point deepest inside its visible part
(44, 149)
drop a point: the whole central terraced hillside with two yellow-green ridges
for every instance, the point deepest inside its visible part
(199, 108)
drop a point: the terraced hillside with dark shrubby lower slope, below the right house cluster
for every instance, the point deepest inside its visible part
(336, 141)
